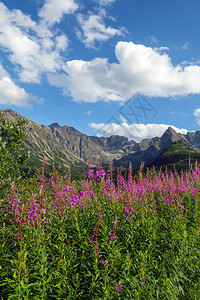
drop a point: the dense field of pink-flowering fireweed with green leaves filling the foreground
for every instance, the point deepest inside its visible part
(102, 238)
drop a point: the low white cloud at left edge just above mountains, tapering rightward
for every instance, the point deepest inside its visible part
(10, 93)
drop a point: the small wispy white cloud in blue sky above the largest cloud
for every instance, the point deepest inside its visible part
(94, 29)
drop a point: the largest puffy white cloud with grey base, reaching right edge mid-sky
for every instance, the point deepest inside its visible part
(140, 70)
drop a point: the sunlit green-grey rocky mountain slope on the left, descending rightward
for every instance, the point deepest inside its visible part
(61, 145)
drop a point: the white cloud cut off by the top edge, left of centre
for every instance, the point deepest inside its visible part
(53, 10)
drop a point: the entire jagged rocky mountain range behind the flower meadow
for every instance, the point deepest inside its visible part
(64, 146)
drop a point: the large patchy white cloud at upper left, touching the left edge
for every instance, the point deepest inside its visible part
(31, 46)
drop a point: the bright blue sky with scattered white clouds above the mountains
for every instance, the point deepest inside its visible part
(125, 67)
